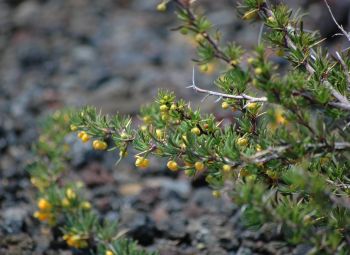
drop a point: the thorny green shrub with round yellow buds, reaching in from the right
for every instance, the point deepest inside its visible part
(285, 156)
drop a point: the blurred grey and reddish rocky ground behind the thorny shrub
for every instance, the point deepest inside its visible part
(114, 54)
